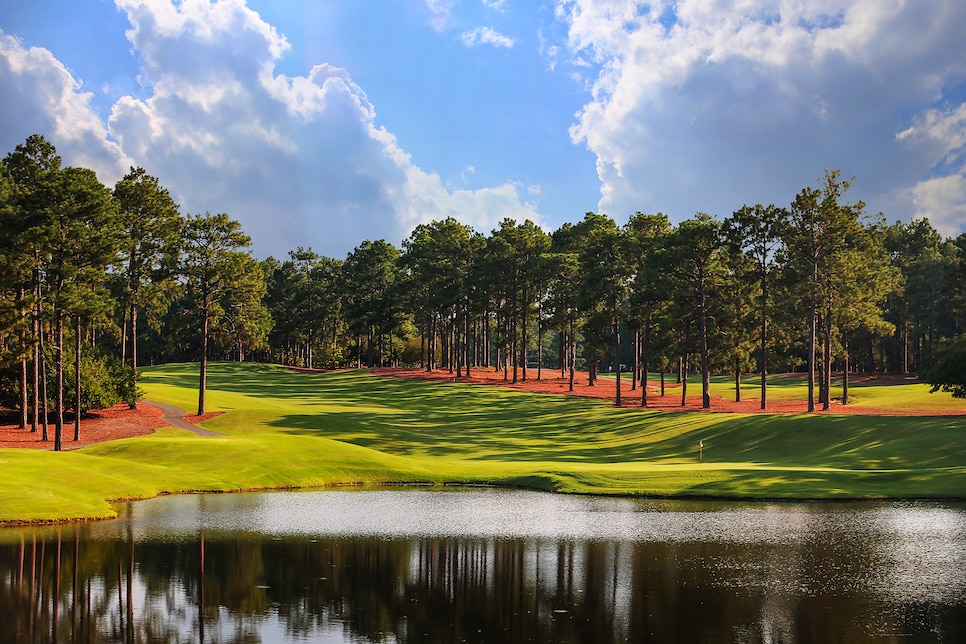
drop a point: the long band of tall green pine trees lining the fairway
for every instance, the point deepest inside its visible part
(96, 282)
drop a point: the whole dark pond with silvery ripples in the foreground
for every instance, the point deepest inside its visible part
(488, 566)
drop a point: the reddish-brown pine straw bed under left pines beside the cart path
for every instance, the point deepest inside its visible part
(95, 427)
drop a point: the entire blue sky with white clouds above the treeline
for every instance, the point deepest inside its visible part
(323, 123)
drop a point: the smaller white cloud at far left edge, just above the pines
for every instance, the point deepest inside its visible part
(40, 96)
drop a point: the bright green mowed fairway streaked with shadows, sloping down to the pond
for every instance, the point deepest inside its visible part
(285, 429)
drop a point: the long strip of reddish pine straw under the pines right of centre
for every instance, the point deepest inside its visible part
(551, 383)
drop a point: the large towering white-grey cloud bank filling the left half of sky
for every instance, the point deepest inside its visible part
(298, 160)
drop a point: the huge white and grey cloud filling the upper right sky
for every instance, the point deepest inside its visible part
(698, 105)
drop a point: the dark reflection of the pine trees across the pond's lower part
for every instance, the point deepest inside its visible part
(70, 584)
